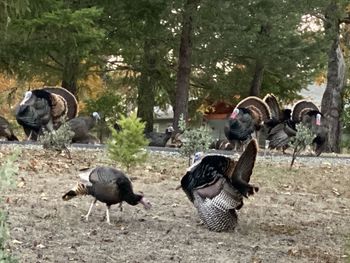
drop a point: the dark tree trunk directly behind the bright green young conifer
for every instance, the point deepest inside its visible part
(146, 87)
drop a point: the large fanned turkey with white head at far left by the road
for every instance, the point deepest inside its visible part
(44, 108)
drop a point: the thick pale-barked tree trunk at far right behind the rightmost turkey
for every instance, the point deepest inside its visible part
(332, 103)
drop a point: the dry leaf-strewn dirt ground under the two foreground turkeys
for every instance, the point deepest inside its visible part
(299, 215)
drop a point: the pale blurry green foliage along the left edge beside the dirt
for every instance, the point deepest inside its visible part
(7, 170)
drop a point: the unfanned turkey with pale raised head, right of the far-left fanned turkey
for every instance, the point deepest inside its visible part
(81, 127)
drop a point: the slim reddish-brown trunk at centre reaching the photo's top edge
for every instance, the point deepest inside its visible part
(184, 68)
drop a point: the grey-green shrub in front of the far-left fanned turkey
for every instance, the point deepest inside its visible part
(57, 140)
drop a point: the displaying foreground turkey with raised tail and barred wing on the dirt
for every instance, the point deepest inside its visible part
(216, 186)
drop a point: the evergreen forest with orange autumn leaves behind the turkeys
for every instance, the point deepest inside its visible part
(116, 56)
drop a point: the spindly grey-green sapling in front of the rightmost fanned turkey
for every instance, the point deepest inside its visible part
(303, 138)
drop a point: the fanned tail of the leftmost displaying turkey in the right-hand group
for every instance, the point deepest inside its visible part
(256, 105)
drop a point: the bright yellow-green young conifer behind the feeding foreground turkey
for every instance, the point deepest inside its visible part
(127, 145)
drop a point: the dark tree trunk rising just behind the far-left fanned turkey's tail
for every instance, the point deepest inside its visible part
(70, 75)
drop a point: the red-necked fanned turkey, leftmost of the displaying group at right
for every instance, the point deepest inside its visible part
(248, 117)
